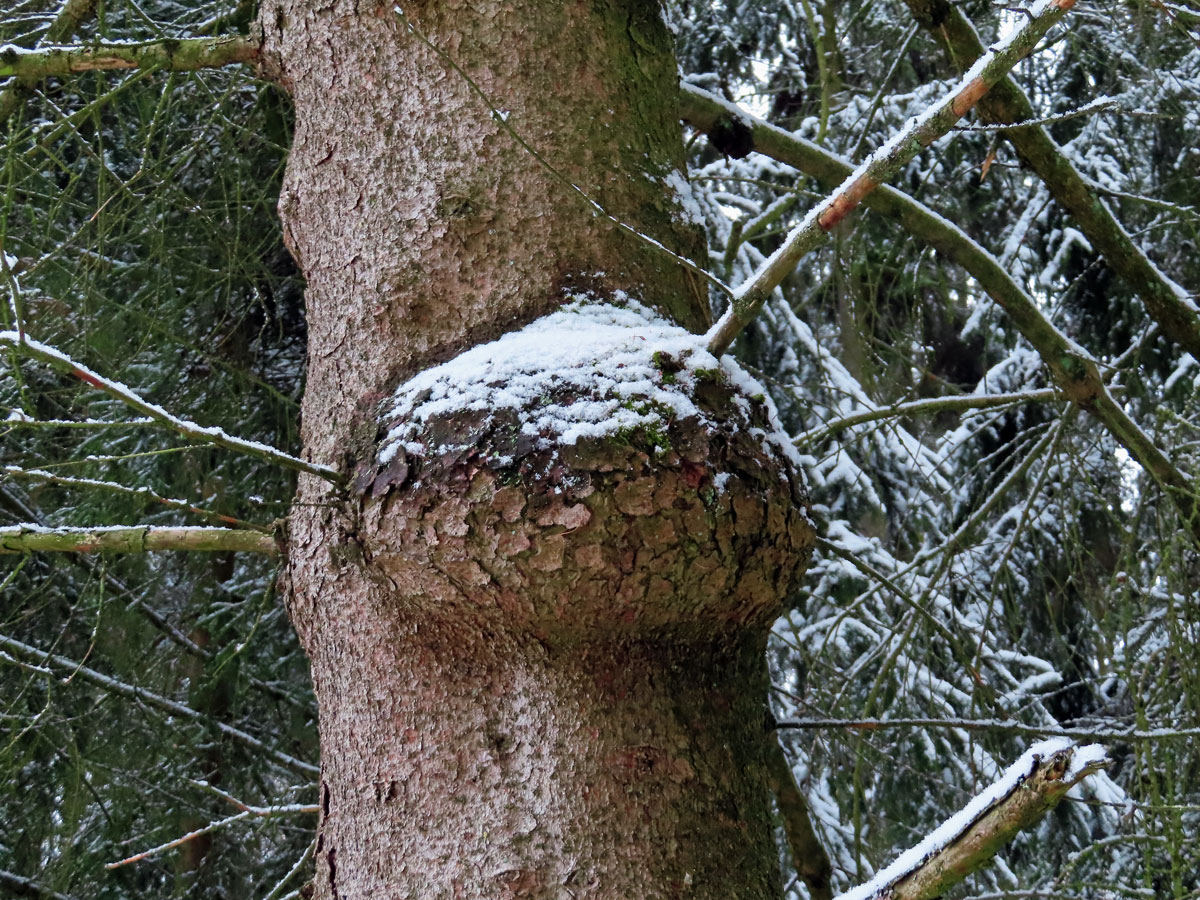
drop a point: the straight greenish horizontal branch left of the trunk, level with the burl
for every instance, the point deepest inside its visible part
(134, 539)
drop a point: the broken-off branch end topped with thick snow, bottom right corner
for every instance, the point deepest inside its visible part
(967, 842)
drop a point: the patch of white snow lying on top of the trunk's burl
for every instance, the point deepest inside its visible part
(587, 370)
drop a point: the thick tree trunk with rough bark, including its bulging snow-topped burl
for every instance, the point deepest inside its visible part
(537, 649)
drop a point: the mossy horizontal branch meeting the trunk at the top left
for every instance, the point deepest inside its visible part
(183, 55)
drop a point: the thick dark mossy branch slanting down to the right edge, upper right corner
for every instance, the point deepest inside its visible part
(1007, 104)
